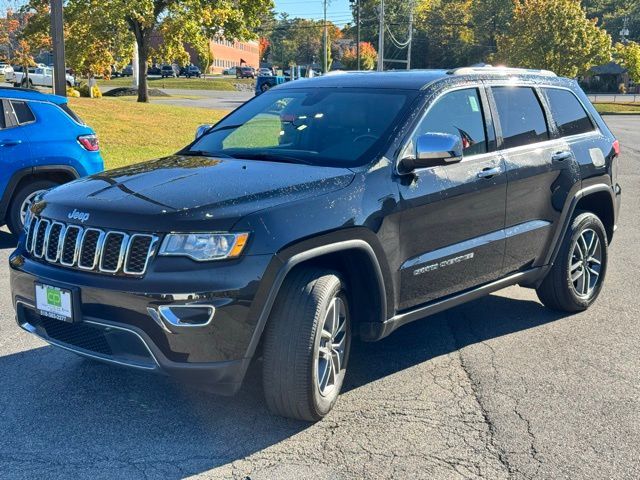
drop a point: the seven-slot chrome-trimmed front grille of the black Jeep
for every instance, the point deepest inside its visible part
(90, 249)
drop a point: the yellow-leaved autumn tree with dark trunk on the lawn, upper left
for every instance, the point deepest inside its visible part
(103, 29)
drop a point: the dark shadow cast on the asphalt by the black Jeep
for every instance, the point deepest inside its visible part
(75, 414)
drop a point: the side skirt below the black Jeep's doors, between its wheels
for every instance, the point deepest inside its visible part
(371, 331)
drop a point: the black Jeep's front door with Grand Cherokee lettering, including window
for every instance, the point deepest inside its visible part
(452, 223)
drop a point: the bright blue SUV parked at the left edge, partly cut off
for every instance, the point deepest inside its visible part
(43, 143)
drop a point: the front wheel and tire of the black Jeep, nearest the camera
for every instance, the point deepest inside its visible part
(306, 345)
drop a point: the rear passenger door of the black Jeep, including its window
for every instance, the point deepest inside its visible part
(541, 168)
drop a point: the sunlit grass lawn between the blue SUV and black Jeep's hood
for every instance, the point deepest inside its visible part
(132, 132)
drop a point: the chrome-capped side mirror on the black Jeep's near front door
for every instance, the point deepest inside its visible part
(433, 149)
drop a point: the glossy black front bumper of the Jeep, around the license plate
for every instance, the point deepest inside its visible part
(113, 321)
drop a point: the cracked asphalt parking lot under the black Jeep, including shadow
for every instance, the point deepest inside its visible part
(499, 388)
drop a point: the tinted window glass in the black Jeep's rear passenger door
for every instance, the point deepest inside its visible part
(521, 116)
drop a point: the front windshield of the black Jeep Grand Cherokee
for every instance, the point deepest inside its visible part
(340, 127)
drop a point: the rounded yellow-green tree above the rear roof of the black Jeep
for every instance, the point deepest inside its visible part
(554, 35)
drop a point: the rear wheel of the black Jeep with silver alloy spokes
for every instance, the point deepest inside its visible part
(576, 278)
